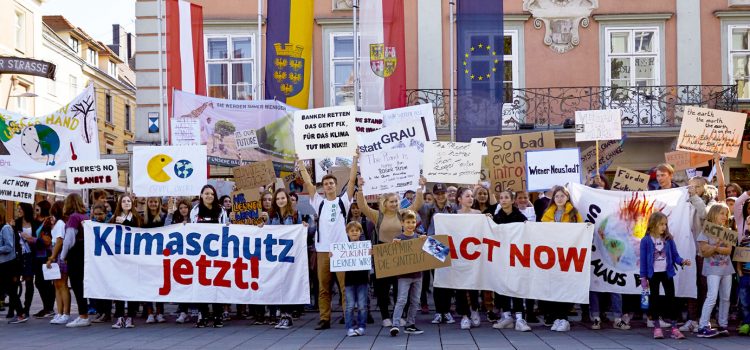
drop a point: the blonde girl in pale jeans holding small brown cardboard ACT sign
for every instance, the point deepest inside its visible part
(718, 269)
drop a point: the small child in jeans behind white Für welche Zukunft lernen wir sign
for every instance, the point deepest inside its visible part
(356, 285)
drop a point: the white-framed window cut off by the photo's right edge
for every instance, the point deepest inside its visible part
(739, 59)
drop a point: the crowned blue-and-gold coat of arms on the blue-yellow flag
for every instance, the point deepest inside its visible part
(289, 68)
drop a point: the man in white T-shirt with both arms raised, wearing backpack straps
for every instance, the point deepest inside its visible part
(331, 209)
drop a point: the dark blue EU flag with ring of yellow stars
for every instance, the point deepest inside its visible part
(481, 78)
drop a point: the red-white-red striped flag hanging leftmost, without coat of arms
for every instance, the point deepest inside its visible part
(186, 68)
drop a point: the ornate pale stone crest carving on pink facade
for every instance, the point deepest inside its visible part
(561, 19)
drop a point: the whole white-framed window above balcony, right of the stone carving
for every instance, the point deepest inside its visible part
(632, 57)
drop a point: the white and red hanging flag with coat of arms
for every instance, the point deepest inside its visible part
(382, 55)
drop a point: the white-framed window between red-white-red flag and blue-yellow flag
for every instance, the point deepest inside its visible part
(230, 66)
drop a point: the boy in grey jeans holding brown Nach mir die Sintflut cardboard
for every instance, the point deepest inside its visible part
(409, 285)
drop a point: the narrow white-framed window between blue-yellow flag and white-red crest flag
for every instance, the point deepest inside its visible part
(341, 69)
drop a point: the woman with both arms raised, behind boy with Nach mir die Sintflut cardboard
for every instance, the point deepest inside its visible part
(388, 225)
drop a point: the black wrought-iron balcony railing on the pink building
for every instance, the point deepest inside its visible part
(548, 108)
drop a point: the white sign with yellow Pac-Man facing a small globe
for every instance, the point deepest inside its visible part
(169, 170)
